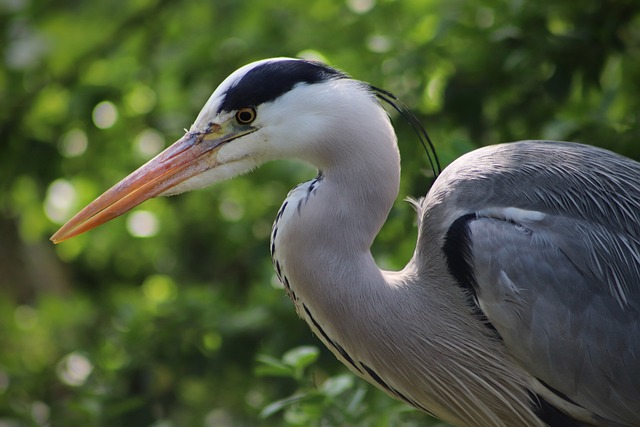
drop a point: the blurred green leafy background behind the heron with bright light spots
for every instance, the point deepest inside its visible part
(171, 316)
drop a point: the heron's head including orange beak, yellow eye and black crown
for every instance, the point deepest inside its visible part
(270, 109)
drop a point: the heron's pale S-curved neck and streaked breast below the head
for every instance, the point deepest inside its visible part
(368, 318)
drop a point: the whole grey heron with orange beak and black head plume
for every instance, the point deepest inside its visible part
(521, 303)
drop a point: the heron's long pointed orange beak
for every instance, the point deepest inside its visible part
(191, 155)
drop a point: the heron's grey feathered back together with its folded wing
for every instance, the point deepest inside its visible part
(559, 278)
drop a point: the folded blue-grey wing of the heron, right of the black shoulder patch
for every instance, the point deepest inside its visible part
(563, 294)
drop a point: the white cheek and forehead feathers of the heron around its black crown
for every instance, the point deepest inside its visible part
(308, 123)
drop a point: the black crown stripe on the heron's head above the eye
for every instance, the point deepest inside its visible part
(270, 80)
